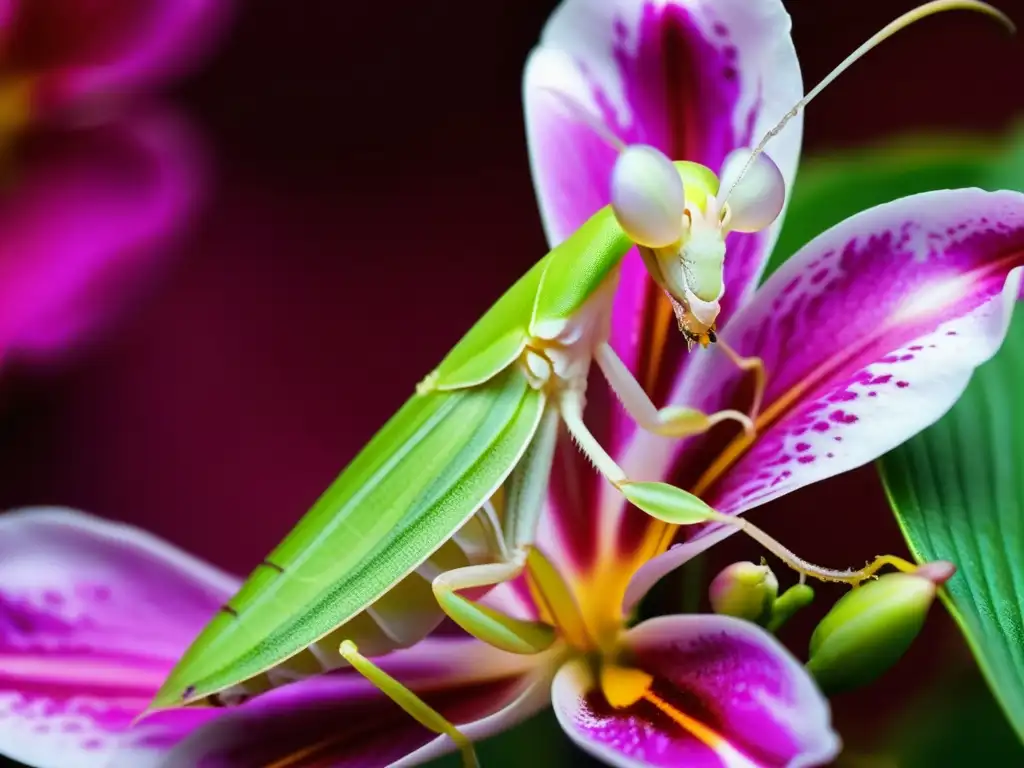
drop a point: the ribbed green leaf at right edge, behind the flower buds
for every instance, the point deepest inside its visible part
(958, 491)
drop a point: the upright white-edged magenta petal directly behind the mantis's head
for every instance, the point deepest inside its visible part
(696, 79)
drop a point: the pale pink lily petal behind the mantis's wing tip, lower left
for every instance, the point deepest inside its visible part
(93, 617)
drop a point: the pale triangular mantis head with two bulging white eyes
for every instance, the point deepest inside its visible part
(680, 214)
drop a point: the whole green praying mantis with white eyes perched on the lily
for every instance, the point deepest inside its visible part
(446, 498)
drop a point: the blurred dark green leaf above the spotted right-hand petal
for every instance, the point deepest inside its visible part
(833, 188)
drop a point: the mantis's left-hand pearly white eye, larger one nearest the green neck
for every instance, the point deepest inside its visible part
(648, 197)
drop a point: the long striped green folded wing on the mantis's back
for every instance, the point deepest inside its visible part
(418, 481)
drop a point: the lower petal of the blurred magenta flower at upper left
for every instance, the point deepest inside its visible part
(87, 222)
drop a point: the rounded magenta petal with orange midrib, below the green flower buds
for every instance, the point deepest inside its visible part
(726, 694)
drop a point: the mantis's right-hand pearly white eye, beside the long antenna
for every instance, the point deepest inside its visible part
(755, 192)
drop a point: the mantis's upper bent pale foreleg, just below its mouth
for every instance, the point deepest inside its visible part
(673, 421)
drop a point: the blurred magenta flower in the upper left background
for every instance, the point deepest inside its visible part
(93, 191)
